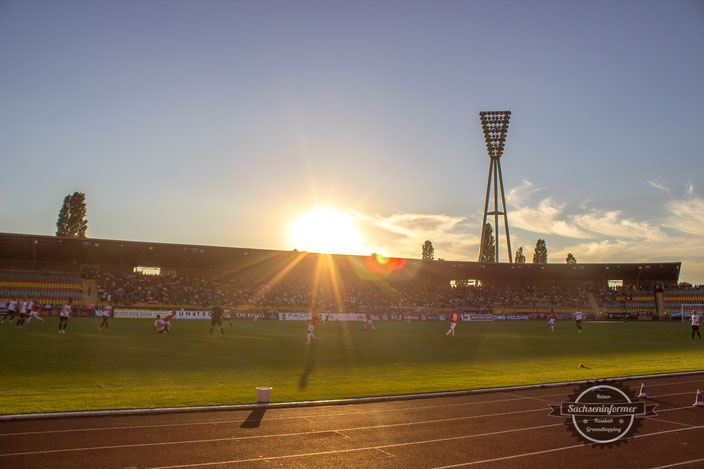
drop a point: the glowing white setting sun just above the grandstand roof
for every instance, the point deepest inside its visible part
(328, 231)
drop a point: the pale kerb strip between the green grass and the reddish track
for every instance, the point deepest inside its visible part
(360, 400)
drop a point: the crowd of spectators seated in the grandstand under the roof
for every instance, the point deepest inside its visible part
(191, 291)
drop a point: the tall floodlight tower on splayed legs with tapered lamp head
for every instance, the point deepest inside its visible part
(495, 126)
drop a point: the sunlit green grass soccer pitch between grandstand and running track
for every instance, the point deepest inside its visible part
(131, 367)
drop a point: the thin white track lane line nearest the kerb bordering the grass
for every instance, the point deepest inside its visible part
(515, 398)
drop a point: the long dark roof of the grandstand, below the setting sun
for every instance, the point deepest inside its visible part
(50, 252)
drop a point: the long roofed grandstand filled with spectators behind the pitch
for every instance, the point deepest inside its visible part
(96, 271)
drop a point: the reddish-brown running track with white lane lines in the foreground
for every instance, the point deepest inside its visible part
(494, 429)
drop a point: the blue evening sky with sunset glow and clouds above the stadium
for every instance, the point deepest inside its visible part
(223, 122)
